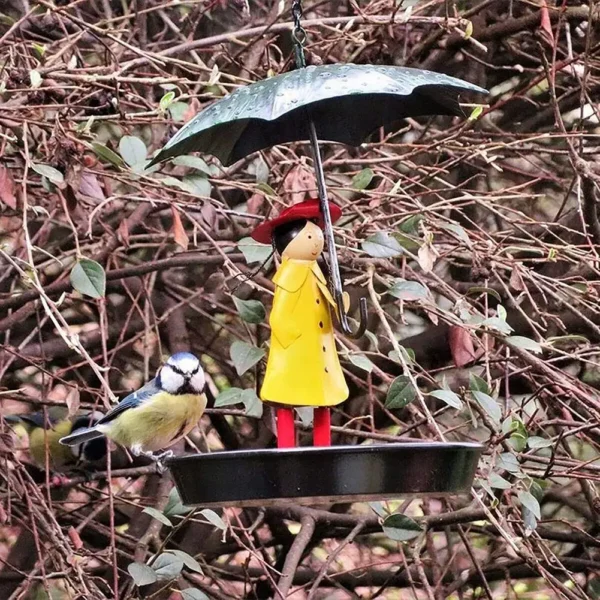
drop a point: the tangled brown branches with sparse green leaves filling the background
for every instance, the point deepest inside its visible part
(476, 241)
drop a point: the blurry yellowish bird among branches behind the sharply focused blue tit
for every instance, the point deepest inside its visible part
(46, 432)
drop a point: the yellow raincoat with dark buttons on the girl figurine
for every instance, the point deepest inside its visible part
(303, 367)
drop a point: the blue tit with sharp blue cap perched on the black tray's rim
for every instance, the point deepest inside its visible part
(156, 416)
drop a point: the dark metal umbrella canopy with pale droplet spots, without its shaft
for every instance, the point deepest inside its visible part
(345, 102)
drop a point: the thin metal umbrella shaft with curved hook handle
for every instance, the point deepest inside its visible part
(336, 280)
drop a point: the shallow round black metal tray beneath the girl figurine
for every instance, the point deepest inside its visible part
(314, 475)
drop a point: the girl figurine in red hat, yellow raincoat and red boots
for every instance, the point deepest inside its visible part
(303, 367)
